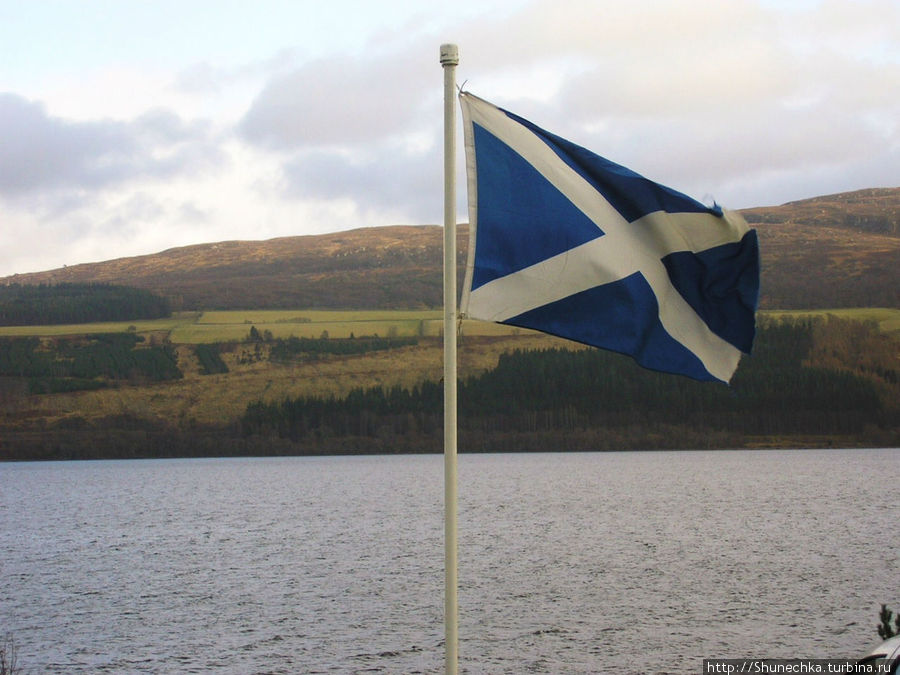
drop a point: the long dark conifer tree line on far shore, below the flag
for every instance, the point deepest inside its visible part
(599, 397)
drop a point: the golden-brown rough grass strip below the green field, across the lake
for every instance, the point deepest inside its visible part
(220, 399)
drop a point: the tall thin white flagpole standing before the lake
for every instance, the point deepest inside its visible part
(449, 61)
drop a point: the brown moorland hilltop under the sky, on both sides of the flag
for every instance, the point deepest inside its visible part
(834, 251)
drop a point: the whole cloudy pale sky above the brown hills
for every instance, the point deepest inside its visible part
(128, 127)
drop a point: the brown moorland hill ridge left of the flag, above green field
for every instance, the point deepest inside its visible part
(385, 267)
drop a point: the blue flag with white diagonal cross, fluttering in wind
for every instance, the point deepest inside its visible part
(566, 242)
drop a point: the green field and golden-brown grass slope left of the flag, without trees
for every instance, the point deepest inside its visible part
(219, 399)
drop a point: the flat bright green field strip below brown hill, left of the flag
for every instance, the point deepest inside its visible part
(234, 326)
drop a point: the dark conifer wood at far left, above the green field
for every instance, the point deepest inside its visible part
(47, 304)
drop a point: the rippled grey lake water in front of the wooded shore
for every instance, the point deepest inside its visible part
(633, 562)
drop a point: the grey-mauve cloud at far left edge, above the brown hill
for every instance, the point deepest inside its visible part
(44, 152)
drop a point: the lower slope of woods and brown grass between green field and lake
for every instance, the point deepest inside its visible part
(809, 383)
